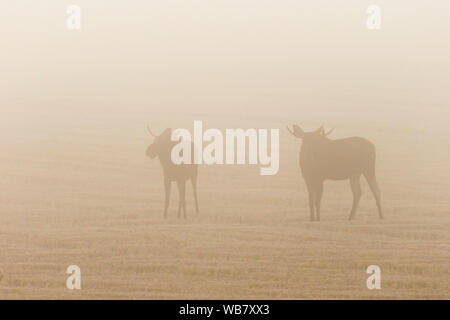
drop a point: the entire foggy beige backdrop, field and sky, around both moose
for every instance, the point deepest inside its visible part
(76, 188)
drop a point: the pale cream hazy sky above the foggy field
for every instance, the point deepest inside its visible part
(234, 54)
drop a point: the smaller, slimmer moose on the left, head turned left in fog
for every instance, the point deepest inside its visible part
(161, 148)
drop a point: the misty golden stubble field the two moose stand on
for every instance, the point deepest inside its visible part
(83, 193)
